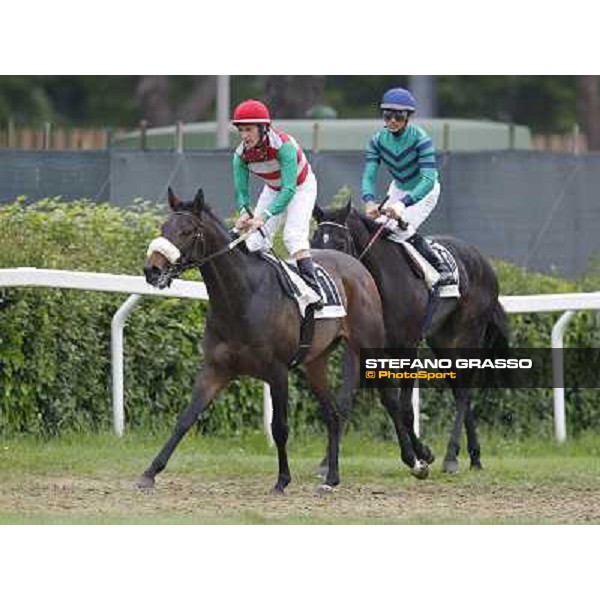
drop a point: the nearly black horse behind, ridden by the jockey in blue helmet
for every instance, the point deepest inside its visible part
(475, 320)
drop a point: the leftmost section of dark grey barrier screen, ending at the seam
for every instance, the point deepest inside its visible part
(44, 174)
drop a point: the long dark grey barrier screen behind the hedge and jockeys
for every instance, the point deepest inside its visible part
(537, 209)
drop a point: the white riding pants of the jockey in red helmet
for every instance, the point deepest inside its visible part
(296, 216)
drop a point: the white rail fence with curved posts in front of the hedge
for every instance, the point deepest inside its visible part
(568, 304)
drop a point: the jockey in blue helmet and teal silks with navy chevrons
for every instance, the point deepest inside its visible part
(409, 156)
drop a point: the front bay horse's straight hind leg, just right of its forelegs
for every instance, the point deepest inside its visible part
(316, 376)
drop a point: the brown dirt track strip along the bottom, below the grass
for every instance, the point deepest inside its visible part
(248, 501)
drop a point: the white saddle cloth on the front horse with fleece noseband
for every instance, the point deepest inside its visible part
(303, 294)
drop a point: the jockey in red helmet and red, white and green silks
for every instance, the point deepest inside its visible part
(290, 187)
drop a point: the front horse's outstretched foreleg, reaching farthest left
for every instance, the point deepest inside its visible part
(207, 385)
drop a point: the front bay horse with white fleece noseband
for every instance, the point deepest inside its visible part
(253, 327)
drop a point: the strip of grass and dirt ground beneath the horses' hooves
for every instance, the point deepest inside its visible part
(91, 479)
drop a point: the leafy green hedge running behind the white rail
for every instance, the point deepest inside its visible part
(55, 344)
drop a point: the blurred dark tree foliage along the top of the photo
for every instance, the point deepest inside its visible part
(545, 103)
